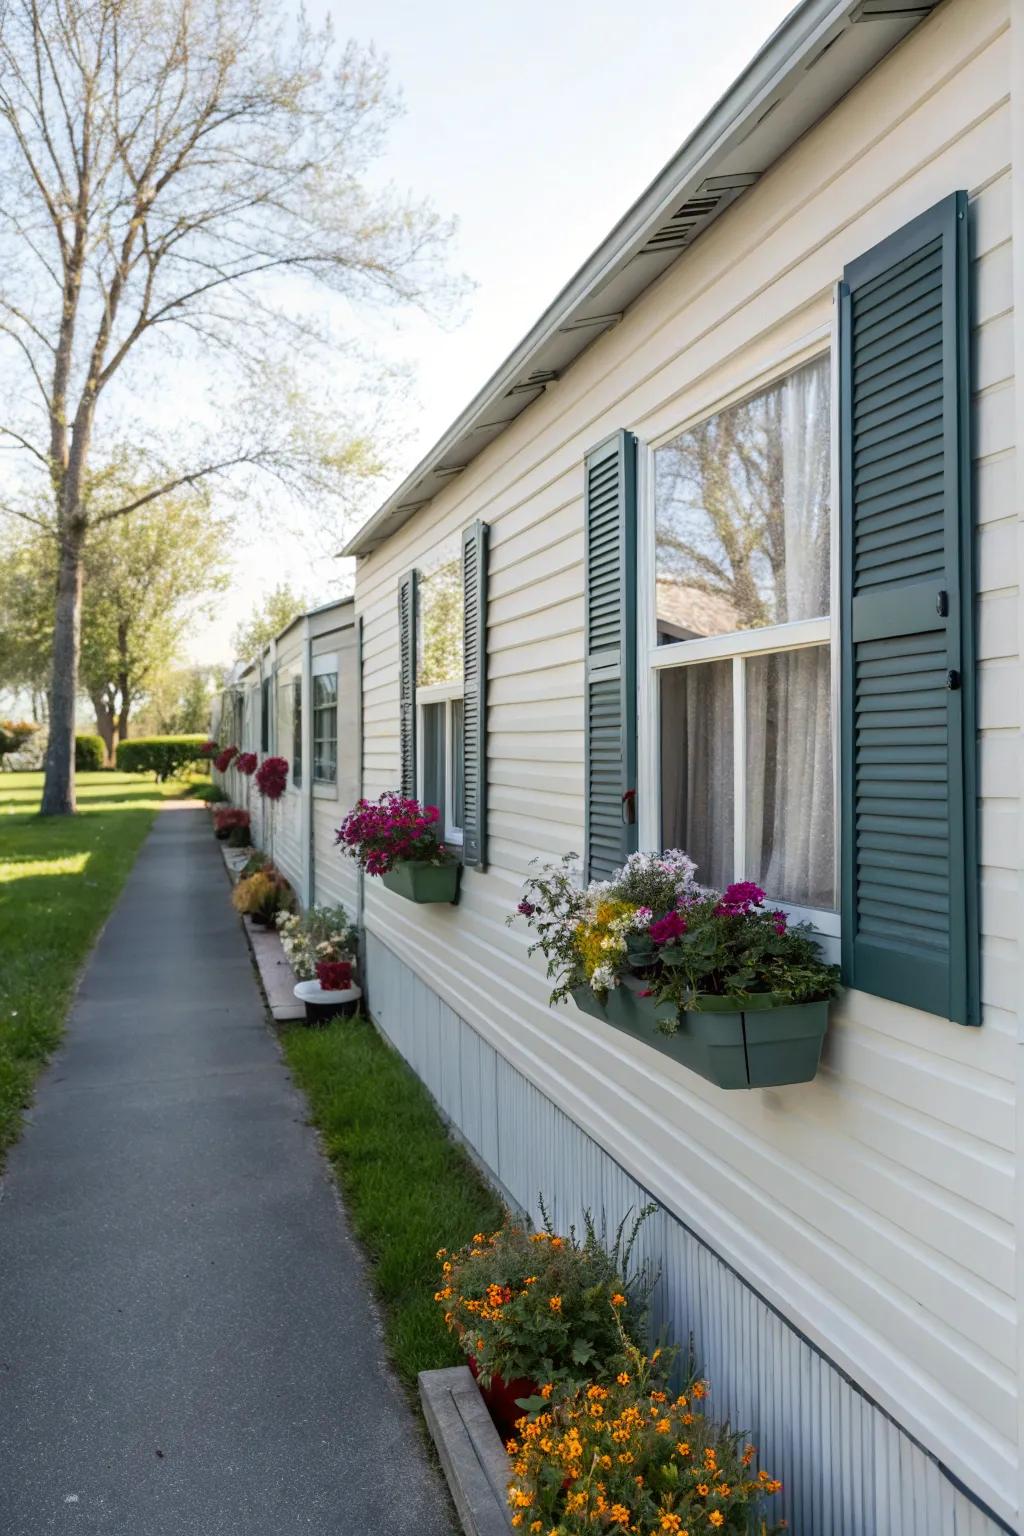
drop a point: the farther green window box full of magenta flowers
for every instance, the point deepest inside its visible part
(397, 839)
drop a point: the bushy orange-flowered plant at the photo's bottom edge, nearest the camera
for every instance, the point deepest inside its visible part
(629, 1457)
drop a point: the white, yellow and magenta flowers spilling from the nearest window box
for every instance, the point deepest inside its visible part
(684, 942)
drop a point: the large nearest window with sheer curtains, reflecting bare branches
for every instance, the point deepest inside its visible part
(742, 641)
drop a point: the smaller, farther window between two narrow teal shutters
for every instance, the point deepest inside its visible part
(440, 640)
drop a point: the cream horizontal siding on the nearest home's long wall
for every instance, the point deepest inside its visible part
(876, 1207)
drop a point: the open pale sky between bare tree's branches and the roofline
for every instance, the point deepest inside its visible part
(537, 125)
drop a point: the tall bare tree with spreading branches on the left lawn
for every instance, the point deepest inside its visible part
(170, 170)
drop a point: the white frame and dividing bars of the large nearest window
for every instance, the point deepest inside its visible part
(739, 646)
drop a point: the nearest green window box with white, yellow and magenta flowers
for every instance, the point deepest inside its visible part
(718, 981)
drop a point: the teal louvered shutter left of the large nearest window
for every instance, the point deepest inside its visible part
(610, 561)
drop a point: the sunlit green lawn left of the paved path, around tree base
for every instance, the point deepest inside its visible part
(59, 879)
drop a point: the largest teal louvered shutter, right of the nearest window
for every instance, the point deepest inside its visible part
(908, 721)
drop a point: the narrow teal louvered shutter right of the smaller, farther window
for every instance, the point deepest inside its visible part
(475, 546)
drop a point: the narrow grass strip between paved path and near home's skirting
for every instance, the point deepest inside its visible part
(409, 1190)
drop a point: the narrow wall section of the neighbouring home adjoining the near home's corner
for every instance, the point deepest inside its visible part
(335, 875)
